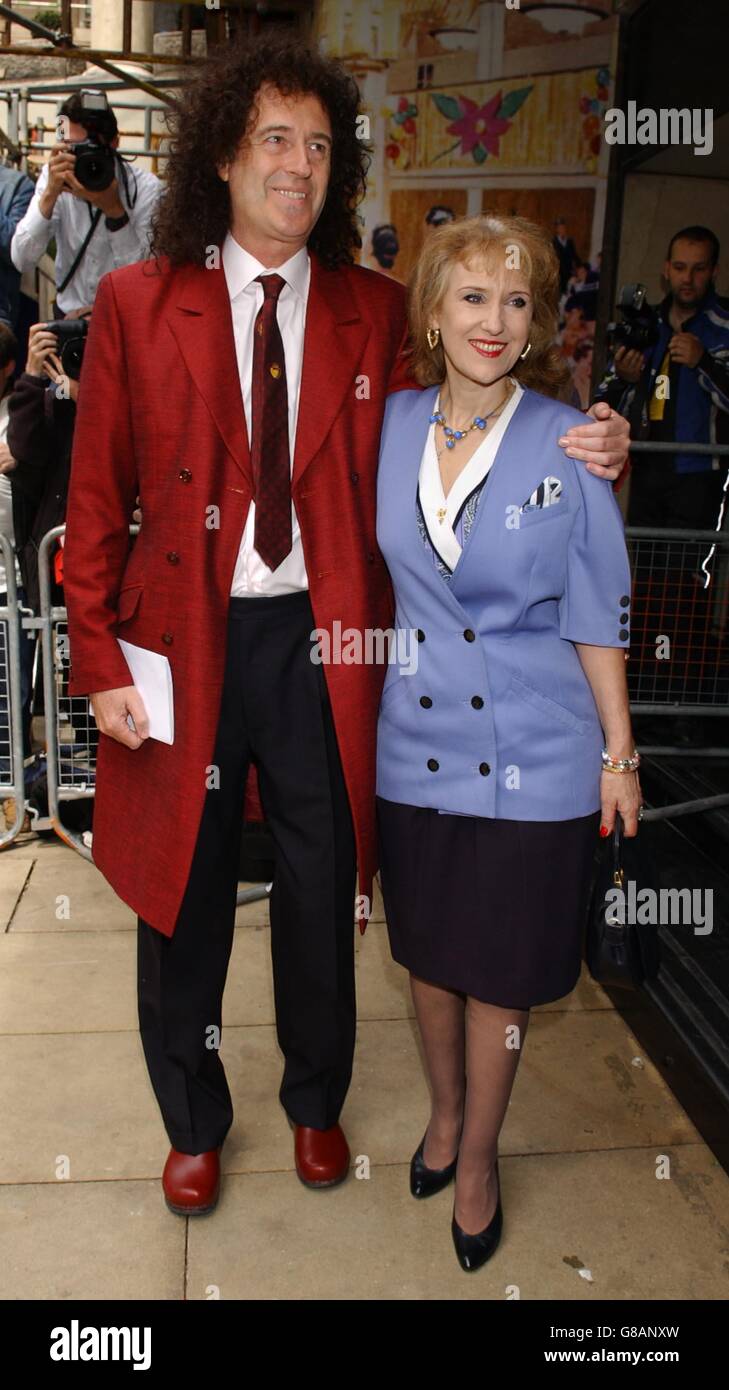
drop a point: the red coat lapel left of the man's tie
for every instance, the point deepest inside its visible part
(202, 325)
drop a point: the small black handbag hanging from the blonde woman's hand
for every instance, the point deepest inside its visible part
(620, 950)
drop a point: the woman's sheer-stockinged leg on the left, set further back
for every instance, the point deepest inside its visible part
(440, 1020)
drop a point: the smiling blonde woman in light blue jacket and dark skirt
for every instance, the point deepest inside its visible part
(511, 746)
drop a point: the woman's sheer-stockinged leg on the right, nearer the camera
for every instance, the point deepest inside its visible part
(495, 1042)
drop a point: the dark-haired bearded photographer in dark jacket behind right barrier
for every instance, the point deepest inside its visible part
(674, 384)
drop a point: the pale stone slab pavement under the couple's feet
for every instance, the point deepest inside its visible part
(83, 1145)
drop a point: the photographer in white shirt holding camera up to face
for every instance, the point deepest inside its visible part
(99, 220)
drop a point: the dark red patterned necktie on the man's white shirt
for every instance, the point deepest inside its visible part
(269, 432)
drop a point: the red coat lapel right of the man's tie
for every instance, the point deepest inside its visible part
(333, 347)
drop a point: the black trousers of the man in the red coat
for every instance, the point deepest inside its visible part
(276, 712)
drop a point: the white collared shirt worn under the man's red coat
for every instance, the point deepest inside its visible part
(251, 575)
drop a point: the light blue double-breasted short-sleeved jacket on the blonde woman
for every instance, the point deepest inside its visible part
(528, 587)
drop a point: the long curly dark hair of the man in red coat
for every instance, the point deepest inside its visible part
(214, 115)
